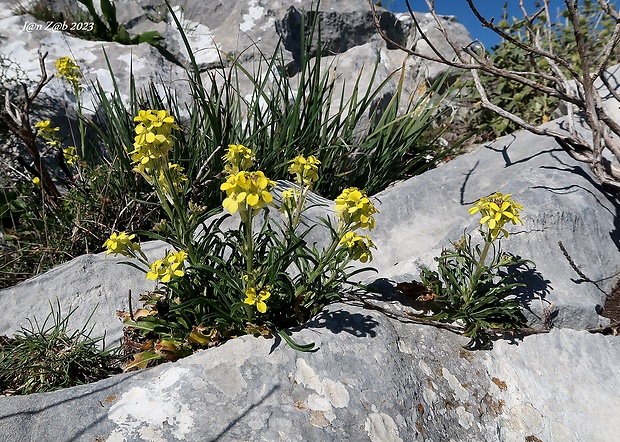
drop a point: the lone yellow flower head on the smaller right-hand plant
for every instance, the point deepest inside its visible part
(496, 211)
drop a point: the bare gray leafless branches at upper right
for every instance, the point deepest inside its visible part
(573, 84)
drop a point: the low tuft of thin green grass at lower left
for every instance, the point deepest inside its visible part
(47, 357)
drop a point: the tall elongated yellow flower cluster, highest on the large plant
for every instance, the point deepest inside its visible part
(153, 141)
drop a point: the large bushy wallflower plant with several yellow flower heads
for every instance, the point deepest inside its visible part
(215, 284)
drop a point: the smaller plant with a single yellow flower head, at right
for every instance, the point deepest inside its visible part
(476, 286)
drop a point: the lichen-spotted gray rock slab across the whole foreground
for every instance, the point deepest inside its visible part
(372, 379)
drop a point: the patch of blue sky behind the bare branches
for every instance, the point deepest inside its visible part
(460, 8)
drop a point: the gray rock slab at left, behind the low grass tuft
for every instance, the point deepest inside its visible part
(85, 283)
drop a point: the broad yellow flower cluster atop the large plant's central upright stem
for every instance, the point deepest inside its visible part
(248, 189)
